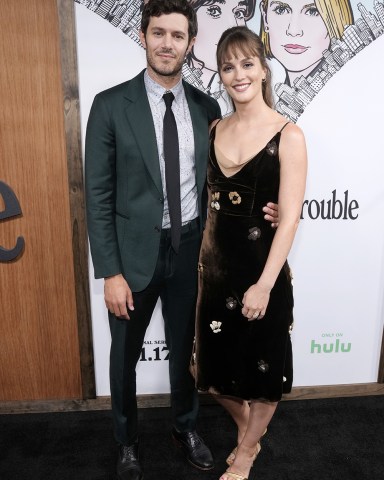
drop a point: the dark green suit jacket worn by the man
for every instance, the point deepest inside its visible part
(124, 192)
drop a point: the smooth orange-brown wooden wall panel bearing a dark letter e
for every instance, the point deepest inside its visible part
(39, 344)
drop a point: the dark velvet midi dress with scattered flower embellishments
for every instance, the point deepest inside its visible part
(233, 356)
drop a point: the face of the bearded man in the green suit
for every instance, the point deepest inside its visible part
(166, 43)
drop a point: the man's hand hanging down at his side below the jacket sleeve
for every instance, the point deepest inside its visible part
(118, 296)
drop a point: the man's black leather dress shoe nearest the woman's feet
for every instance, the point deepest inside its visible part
(194, 448)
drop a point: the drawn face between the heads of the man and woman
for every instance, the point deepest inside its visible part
(213, 20)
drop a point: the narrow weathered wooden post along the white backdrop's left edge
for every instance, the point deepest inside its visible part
(66, 12)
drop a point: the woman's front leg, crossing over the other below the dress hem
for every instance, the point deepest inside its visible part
(260, 415)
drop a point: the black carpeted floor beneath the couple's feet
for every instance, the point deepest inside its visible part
(328, 439)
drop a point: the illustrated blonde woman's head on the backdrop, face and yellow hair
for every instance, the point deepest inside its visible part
(296, 32)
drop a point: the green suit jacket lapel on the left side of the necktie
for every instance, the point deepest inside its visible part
(139, 116)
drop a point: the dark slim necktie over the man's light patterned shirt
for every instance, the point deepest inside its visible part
(172, 170)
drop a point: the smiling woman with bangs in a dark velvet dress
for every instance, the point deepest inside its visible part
(244, 313)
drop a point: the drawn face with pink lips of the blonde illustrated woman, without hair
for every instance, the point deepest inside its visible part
(297, 33)
